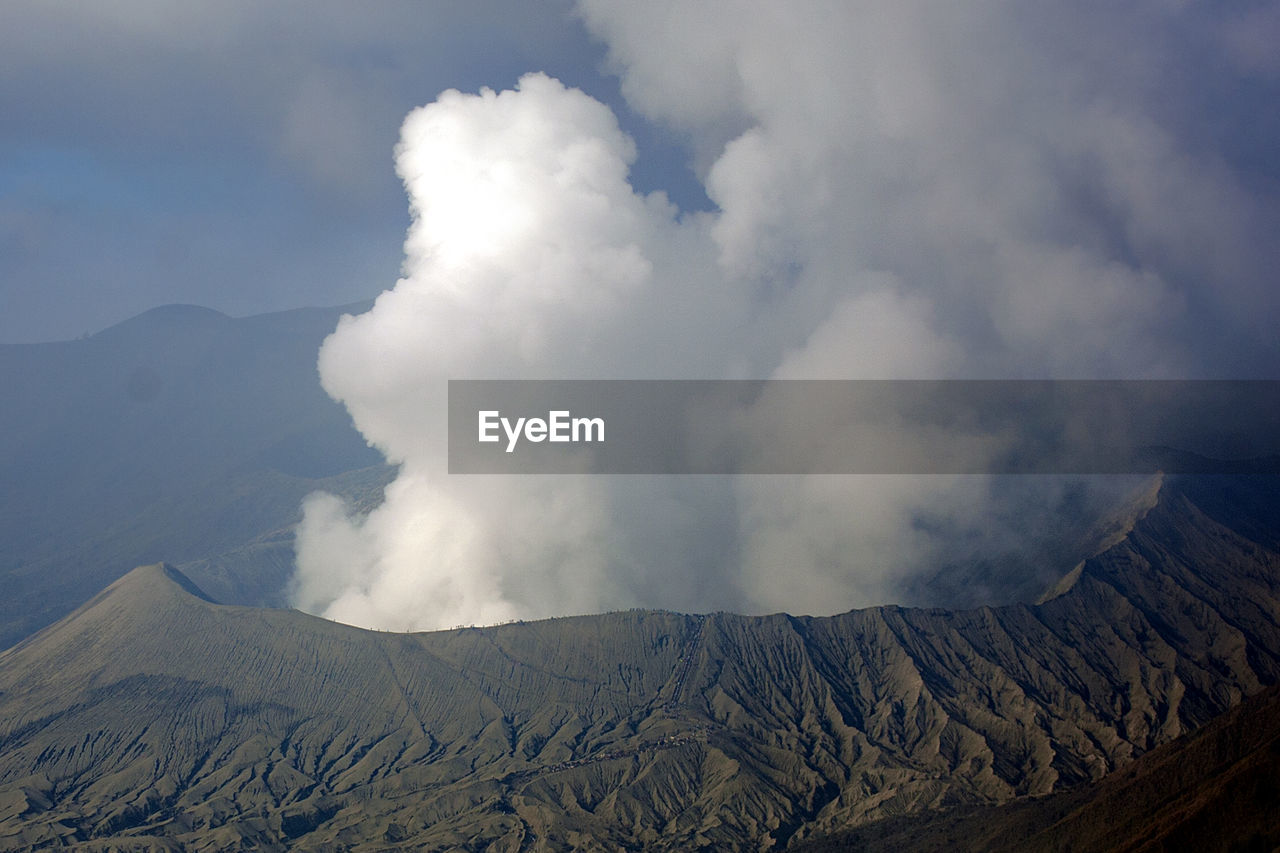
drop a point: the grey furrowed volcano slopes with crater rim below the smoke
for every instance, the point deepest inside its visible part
(153, 717)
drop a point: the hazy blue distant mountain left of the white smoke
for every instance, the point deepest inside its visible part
(180, 435)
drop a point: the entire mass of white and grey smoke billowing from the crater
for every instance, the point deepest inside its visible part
(903, 189)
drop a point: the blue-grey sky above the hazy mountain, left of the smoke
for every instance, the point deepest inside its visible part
(240, 156)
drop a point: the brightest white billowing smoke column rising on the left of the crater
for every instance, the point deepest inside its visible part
(525, 249)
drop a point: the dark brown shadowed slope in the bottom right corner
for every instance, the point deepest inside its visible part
(1212, 791)
